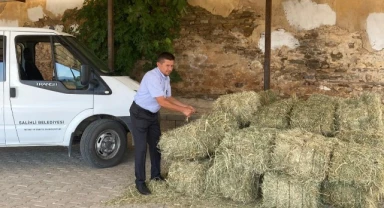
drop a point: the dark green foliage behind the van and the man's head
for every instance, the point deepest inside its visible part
(142, 29)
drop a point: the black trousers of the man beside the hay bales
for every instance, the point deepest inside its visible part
(146, 130)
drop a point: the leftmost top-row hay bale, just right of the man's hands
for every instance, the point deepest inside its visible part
(242, 105)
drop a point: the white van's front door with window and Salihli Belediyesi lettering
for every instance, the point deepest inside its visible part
(49, 94)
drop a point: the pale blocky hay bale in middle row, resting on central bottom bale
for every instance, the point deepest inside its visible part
(302, 154)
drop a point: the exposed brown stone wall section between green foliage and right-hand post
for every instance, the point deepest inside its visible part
(213, 56)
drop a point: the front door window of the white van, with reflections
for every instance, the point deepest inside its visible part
(46, 58)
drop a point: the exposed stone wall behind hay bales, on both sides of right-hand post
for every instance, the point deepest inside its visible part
(218, 55)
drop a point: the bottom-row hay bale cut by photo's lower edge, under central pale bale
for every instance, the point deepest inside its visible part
(285, 191)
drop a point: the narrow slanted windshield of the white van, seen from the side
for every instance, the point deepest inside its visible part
(100, 65)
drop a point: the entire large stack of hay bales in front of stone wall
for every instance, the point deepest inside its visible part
(321, 151)
